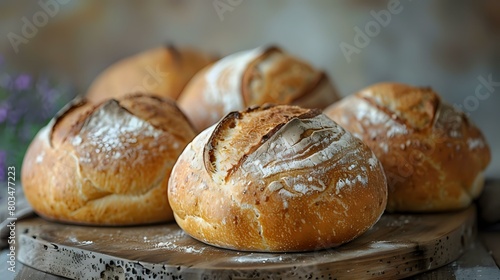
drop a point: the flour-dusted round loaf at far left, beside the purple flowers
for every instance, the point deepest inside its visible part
(107, 164)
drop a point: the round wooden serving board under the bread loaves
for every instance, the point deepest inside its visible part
(397, 246)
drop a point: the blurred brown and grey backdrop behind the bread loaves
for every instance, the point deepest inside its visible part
(51, 50)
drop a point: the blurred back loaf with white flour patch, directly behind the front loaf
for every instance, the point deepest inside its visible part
(254, 77)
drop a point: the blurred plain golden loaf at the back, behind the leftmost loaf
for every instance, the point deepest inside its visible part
(162, 71)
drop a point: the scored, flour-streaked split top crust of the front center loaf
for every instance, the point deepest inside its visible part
(268, 141)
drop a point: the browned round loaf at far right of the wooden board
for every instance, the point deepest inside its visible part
(433, 156)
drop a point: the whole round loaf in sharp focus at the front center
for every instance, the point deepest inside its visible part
(280, 178)
